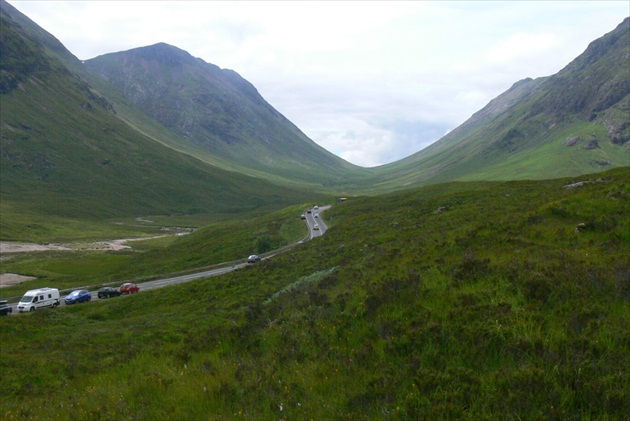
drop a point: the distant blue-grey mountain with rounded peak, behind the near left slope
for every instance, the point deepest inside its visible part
(219, 111)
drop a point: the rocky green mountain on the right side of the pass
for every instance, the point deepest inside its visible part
(574, 122)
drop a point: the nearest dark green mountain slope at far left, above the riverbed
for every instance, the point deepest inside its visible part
(64, 150)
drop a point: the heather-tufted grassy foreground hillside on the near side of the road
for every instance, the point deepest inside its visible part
(458, 301)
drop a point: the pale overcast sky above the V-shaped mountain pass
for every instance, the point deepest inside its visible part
(372, 82)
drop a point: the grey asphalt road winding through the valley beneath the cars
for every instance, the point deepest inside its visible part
(312, 219)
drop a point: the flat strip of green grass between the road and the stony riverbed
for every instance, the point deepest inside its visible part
(228, 240)
